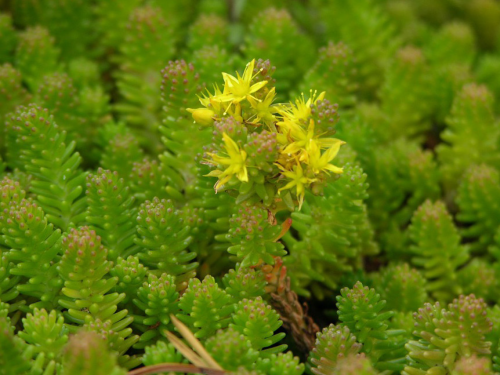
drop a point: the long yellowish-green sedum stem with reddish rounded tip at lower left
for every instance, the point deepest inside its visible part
(83, 268)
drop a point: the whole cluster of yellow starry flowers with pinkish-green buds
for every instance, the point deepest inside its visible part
(262, 149)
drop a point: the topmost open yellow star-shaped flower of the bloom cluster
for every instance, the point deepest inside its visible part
(239, 88)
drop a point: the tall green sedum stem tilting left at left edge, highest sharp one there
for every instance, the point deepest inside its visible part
(58, 182)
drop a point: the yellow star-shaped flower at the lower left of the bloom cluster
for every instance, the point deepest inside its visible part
(235, 162)
